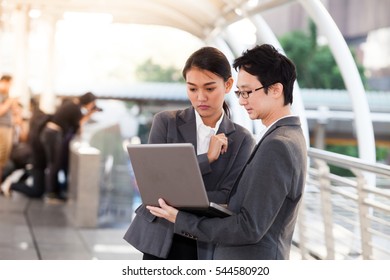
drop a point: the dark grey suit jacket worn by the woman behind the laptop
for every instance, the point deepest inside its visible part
(153, 235)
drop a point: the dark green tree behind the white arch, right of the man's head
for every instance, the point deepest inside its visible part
(316, 66)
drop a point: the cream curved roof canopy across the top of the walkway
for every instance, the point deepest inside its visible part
(199, 17)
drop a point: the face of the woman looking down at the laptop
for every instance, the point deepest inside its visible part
(206, 91)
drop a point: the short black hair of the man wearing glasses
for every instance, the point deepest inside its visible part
(270, 67)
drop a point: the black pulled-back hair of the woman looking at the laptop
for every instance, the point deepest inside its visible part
(213, 60)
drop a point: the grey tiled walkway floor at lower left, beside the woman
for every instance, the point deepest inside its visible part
(31, 229)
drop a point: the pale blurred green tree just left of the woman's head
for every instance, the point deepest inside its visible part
(152, 72)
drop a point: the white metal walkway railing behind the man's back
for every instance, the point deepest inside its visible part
(344, 218)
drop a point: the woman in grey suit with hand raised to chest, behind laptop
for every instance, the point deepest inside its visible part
(222, 149)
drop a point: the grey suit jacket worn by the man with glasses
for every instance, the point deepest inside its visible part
(266, 199)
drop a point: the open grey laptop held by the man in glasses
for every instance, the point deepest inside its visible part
(171, 172)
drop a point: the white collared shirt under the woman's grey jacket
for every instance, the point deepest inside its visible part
(204, 133)
